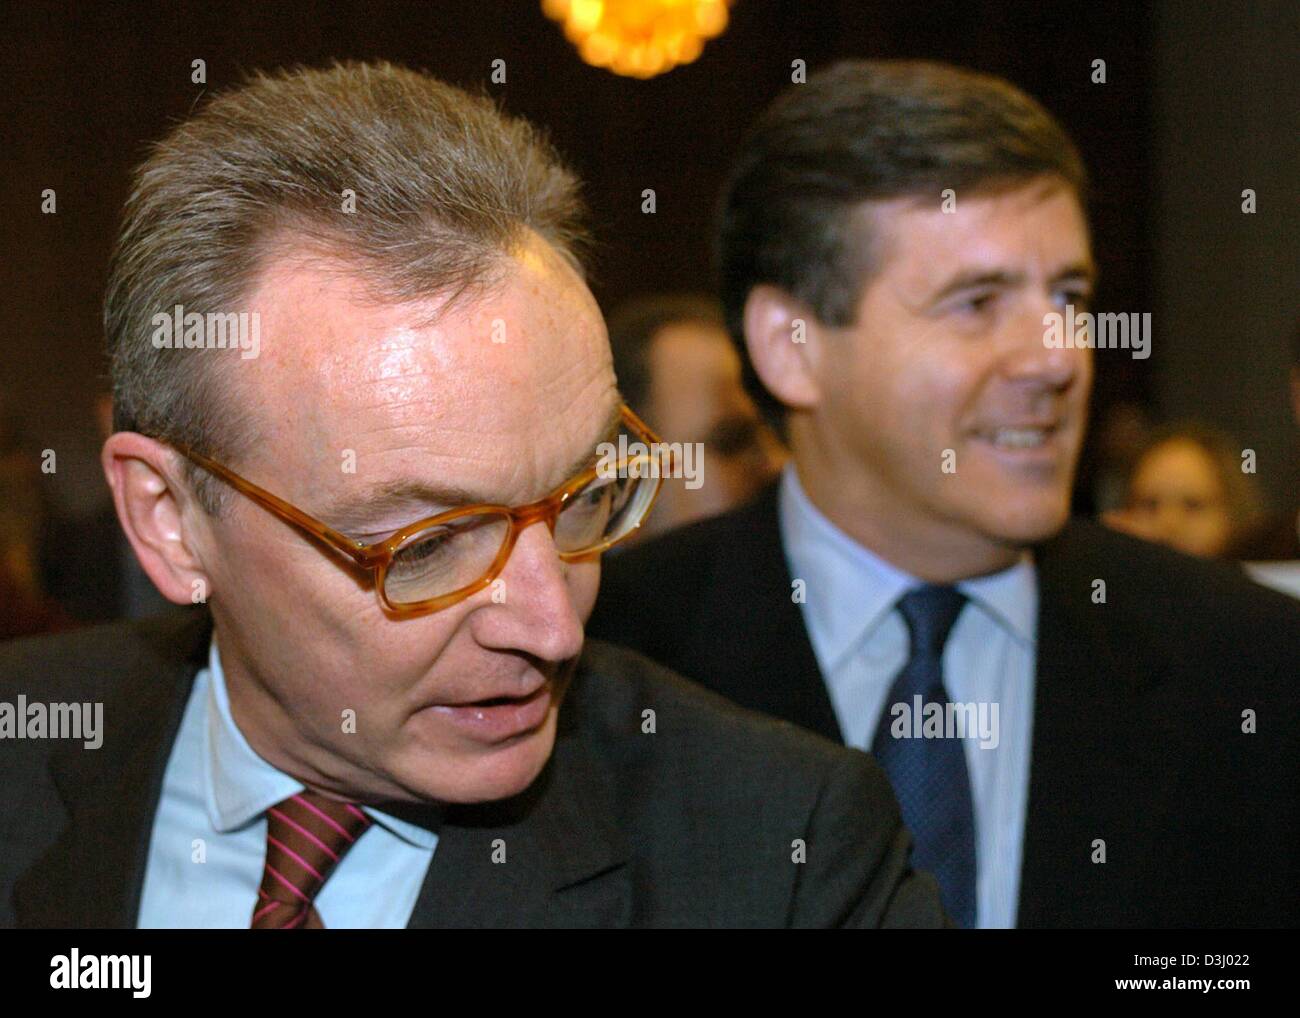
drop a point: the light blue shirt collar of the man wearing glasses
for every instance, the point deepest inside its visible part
(240, 786)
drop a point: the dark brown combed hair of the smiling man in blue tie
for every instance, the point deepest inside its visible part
(861, 132)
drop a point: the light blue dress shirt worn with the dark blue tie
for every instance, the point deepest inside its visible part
(861, 644)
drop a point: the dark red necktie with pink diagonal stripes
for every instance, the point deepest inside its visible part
(306, 838)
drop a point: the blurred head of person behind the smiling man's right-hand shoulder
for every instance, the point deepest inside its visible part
(1188, 491)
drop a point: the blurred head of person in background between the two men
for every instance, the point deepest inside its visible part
(678, 367)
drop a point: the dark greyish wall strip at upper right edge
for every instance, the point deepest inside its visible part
(1228, 284)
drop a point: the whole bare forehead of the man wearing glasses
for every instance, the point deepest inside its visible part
(495, 392)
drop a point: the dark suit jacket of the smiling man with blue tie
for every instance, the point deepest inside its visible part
(1137, 722)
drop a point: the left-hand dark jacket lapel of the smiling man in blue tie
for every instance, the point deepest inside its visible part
(752, 636)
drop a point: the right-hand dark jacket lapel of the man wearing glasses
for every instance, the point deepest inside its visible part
(552, 857)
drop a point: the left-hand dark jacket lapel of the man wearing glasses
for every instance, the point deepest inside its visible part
(94, 873)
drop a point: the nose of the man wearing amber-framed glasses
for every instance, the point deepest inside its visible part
(531, 605)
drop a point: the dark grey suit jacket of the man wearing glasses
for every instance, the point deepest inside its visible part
(691, 826)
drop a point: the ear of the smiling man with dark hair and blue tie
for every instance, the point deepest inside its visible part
(785, 343)
